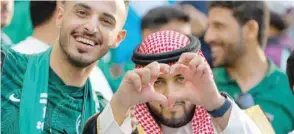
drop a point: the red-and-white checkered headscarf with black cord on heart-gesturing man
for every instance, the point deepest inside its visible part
(166, 47)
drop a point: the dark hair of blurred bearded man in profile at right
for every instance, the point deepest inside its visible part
(245, 11)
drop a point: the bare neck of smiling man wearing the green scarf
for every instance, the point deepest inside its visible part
(70, 74)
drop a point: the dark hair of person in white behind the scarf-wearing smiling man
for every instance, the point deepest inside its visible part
(41, 11)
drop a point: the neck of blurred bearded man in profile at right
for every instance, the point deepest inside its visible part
(249, 70)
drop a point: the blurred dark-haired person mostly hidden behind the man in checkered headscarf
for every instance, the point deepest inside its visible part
(190, 19)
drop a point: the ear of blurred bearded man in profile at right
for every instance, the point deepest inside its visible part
(251, 30)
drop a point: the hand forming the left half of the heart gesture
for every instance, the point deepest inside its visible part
(136, 88)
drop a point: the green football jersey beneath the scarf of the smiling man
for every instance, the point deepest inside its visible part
(64, 107)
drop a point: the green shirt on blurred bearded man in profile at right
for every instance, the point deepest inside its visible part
(272, 94)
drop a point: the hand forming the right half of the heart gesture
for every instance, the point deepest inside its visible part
(200, 86)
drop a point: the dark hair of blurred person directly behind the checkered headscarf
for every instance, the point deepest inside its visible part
(159, 16)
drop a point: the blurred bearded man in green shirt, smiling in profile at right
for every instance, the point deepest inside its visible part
(236, 33)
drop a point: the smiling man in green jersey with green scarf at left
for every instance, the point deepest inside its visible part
(50, 92)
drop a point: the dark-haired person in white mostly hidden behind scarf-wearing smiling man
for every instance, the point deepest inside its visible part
(43, 17)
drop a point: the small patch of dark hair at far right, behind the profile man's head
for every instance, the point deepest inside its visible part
(277, 21)
